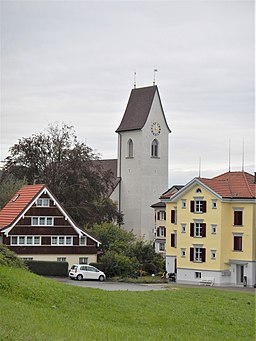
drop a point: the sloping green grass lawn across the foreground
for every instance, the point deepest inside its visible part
(36, 308)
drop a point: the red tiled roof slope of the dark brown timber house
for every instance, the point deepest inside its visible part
(18, 204)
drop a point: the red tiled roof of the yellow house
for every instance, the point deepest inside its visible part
(233, 185)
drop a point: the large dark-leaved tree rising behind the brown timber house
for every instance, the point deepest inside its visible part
(56, 158)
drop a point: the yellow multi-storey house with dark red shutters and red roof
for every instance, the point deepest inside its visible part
(211, 230)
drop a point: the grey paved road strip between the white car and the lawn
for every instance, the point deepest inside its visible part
(113, 286)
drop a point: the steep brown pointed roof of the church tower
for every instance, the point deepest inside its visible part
(138, 108)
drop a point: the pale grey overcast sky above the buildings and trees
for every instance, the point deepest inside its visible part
(73, 62)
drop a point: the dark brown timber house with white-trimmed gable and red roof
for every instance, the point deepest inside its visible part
(35, 226)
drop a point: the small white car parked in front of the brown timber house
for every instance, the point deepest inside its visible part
(84, 271)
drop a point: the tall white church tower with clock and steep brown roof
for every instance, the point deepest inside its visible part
(143, 150)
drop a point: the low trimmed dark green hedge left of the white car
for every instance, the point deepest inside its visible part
(48, 268)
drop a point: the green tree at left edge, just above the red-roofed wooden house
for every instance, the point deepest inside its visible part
(8, 187)
